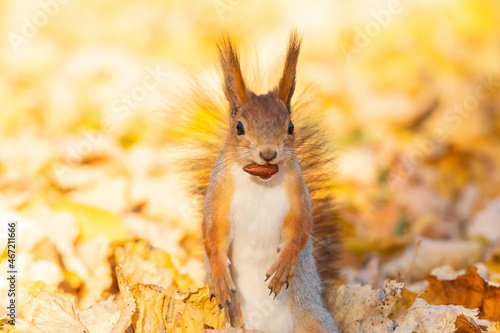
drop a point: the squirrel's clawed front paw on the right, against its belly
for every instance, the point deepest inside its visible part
(283, 269)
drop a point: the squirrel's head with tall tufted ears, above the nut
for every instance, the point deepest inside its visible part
(261, 130)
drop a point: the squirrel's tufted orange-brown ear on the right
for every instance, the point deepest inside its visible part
(286, 87)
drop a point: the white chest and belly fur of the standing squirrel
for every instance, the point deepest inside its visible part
(258, 210)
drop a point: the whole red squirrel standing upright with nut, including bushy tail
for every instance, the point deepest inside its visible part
(269, 224)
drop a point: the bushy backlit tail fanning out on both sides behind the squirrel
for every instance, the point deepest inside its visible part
(195, 130)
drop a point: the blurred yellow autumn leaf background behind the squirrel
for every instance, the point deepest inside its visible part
(410, 90)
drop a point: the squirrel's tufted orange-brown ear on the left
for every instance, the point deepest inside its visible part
(233, 85)
